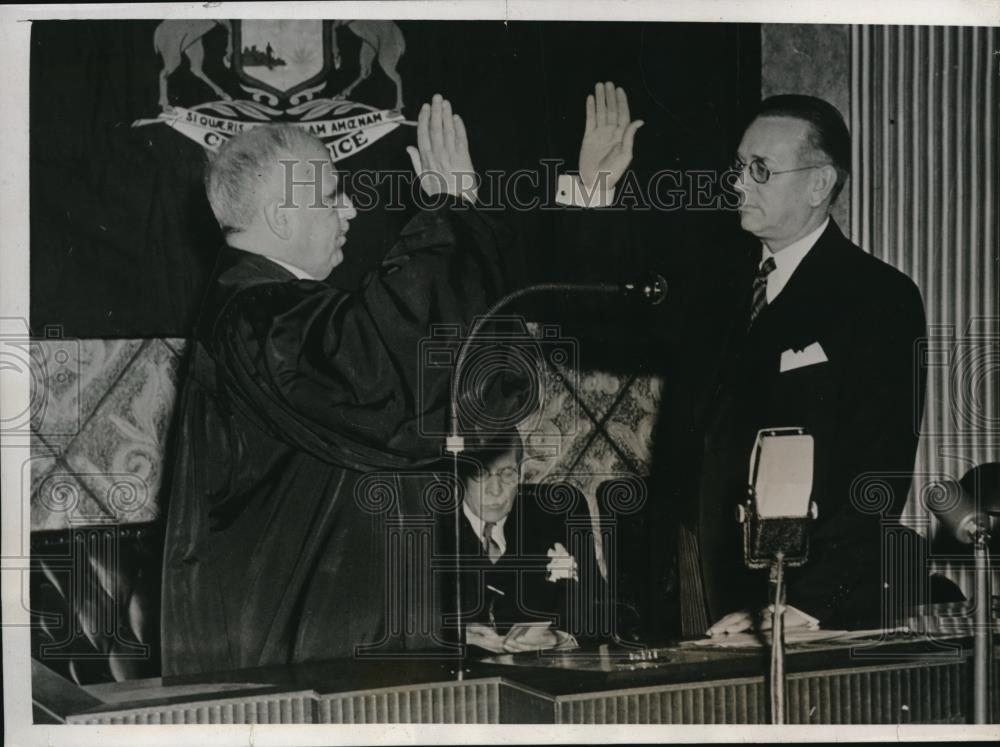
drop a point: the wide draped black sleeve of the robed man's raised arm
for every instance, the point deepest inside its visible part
(345, 376)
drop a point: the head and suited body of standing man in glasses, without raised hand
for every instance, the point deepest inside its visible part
(820, 335)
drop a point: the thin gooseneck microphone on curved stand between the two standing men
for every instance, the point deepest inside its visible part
(653, 290)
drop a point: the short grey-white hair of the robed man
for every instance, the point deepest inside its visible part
(246, 161)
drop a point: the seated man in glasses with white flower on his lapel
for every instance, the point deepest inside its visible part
(527, 558)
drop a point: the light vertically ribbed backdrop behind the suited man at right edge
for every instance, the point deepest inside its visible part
(924, 100)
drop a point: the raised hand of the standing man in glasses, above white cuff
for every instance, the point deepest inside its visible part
(606, 150)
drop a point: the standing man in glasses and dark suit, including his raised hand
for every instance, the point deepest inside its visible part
(802, 328)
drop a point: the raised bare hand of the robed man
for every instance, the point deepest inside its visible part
(441, 158)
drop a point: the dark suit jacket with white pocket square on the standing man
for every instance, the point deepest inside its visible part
(863, 407)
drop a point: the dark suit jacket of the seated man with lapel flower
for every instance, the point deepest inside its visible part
(521, 590)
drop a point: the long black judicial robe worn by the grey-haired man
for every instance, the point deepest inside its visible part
(295, 391)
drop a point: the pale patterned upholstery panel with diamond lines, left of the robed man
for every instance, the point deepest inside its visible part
(100, 414)
